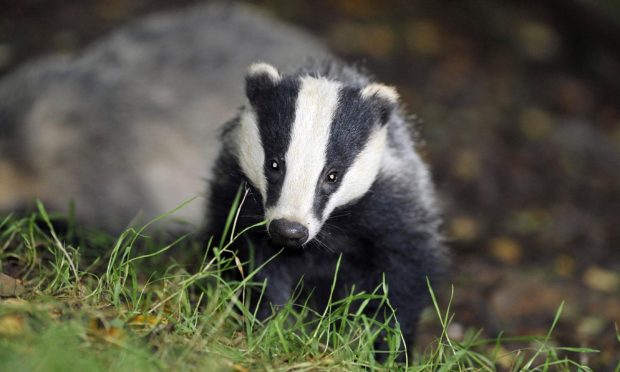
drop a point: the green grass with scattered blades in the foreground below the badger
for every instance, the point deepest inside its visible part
(133, 303)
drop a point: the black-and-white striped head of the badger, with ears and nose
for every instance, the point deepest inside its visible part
(310, 145)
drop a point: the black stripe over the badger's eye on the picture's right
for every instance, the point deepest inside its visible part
(353, 122)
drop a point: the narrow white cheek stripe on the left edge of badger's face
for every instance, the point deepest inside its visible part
(250, 151)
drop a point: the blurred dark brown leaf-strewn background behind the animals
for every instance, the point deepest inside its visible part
(517, 106)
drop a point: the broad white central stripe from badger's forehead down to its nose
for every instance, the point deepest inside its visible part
(317, 102)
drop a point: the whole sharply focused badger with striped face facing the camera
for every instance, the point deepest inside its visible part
(329, 163)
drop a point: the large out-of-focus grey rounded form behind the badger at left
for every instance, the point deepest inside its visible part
(127, 128)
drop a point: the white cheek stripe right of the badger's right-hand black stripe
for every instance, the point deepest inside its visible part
(362, 173)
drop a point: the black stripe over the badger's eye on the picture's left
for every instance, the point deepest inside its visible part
(275, 111)
